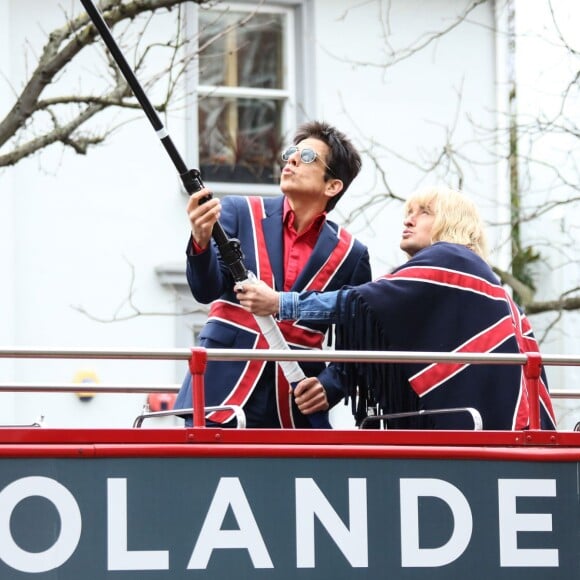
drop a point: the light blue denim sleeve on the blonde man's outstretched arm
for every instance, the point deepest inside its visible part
(320, 306)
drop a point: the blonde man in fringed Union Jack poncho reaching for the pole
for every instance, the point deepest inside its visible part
(444, 298)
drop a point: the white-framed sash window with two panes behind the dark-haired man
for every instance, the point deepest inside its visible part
(246, 105)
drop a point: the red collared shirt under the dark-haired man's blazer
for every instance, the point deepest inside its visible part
(297, 247)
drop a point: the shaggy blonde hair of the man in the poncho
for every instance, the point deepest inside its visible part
(457, 219)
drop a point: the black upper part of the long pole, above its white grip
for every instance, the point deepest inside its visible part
(191, 178)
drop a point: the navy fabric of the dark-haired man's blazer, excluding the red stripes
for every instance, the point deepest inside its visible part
(210, 279)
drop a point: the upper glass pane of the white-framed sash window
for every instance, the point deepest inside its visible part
(248, 56)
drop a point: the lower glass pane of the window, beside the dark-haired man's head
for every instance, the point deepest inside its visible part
(240, 139)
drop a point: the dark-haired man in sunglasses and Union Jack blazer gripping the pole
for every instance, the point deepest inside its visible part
(290, 245)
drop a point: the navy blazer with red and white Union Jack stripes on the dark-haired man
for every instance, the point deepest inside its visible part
(337, 260)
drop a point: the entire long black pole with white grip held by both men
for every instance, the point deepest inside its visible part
(229, 248)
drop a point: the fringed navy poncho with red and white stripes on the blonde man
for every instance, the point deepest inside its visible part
(444, 299)
